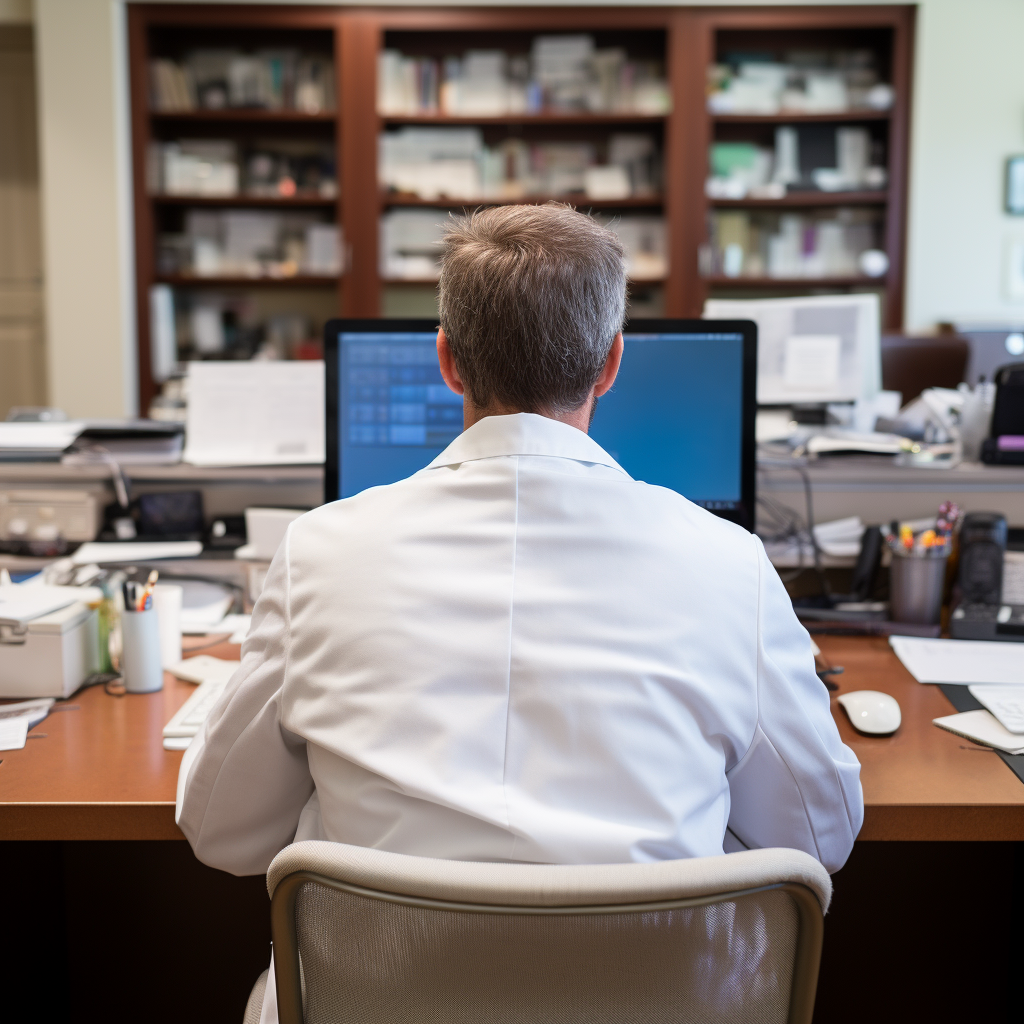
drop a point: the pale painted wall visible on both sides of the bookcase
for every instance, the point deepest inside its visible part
(968, 117)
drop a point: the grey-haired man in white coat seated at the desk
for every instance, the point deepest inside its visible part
(520, 654)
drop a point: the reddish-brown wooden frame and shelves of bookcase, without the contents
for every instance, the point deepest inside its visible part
(688, 39)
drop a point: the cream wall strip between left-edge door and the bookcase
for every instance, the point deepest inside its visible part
(87, 211)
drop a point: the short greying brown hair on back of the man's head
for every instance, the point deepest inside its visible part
(532, 298)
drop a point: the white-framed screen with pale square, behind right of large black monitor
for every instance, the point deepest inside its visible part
(813, 351)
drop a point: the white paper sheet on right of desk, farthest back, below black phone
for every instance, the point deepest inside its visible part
(961, 662)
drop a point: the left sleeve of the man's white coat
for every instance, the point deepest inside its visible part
(245, 780)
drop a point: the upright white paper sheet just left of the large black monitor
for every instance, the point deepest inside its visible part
(255, 414)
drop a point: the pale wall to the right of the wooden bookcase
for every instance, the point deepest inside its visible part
(968, 118)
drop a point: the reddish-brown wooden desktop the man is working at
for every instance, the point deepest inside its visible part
(102, 773)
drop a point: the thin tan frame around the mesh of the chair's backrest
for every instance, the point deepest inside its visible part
(807, 956)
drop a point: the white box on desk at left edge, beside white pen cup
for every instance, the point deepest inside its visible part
(54, 656)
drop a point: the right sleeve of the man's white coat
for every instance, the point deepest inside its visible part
(797, 786)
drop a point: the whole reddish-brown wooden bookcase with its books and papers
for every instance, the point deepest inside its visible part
(295, 163)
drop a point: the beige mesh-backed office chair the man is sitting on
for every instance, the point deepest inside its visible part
(383, 937)
